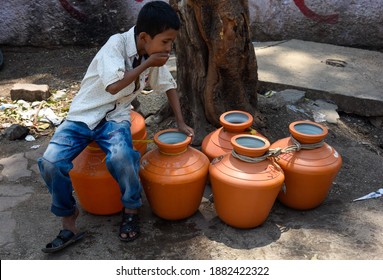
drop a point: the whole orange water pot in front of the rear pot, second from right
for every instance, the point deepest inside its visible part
(245, 183)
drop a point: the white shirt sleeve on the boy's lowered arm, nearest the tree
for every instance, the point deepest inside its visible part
(161, 80)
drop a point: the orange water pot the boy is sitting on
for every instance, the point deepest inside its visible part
(96, 189)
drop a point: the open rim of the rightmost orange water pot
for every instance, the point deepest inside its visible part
(310, 132)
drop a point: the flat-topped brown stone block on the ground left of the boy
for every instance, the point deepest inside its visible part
(30, 92)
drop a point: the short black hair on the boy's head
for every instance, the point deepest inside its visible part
(156, 17)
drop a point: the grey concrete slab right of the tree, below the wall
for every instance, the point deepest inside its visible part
(350, 77)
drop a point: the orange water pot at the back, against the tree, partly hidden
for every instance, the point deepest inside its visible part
(218, 142)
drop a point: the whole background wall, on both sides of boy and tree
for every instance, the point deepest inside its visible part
(59, 22)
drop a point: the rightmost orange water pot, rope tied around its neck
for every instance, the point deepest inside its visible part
(310, 171)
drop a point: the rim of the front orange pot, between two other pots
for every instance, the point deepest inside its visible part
(250, 145)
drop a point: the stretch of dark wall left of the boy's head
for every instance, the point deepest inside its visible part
(64, 22)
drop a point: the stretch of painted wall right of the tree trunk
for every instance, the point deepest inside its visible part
(340, 22)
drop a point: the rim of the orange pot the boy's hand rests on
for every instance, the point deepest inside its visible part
(176, 143)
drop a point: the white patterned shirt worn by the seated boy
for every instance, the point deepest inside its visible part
(92, 103)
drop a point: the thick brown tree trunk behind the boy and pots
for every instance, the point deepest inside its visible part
(216, 63)
